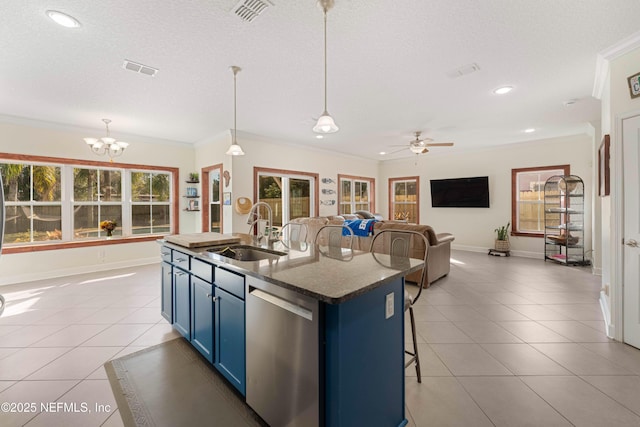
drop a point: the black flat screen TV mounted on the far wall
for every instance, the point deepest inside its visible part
(460, 192)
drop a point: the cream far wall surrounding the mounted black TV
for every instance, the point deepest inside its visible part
(474, 227)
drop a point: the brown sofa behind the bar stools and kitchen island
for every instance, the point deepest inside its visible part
(439, 245)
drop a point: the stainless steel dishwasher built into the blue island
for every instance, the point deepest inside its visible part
(283, 384)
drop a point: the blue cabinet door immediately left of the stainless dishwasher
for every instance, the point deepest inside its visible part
(230, 338)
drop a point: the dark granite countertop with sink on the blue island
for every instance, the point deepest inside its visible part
(331, 275)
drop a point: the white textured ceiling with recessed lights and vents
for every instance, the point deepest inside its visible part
(387, 68)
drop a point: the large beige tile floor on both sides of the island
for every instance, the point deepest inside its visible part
(503, 342)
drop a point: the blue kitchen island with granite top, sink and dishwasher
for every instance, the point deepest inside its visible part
(309, 335)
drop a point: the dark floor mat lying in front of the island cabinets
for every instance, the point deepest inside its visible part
(170, 384)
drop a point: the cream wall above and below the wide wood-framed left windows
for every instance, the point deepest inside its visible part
(46, 139)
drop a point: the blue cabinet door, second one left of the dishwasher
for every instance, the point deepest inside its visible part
(202, 317)
